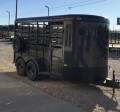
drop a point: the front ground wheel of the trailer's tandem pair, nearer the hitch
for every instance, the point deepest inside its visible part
(32, 71)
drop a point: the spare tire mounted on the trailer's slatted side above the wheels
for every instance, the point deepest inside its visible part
(18, 44)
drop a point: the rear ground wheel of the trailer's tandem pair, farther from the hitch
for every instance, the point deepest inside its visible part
(21, 67)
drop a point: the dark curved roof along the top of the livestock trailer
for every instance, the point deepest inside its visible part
(65, 17)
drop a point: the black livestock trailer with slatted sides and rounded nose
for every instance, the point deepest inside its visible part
(67, 46)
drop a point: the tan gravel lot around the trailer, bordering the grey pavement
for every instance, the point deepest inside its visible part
(91, 98)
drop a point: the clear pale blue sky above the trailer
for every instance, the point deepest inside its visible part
(35, 8)
